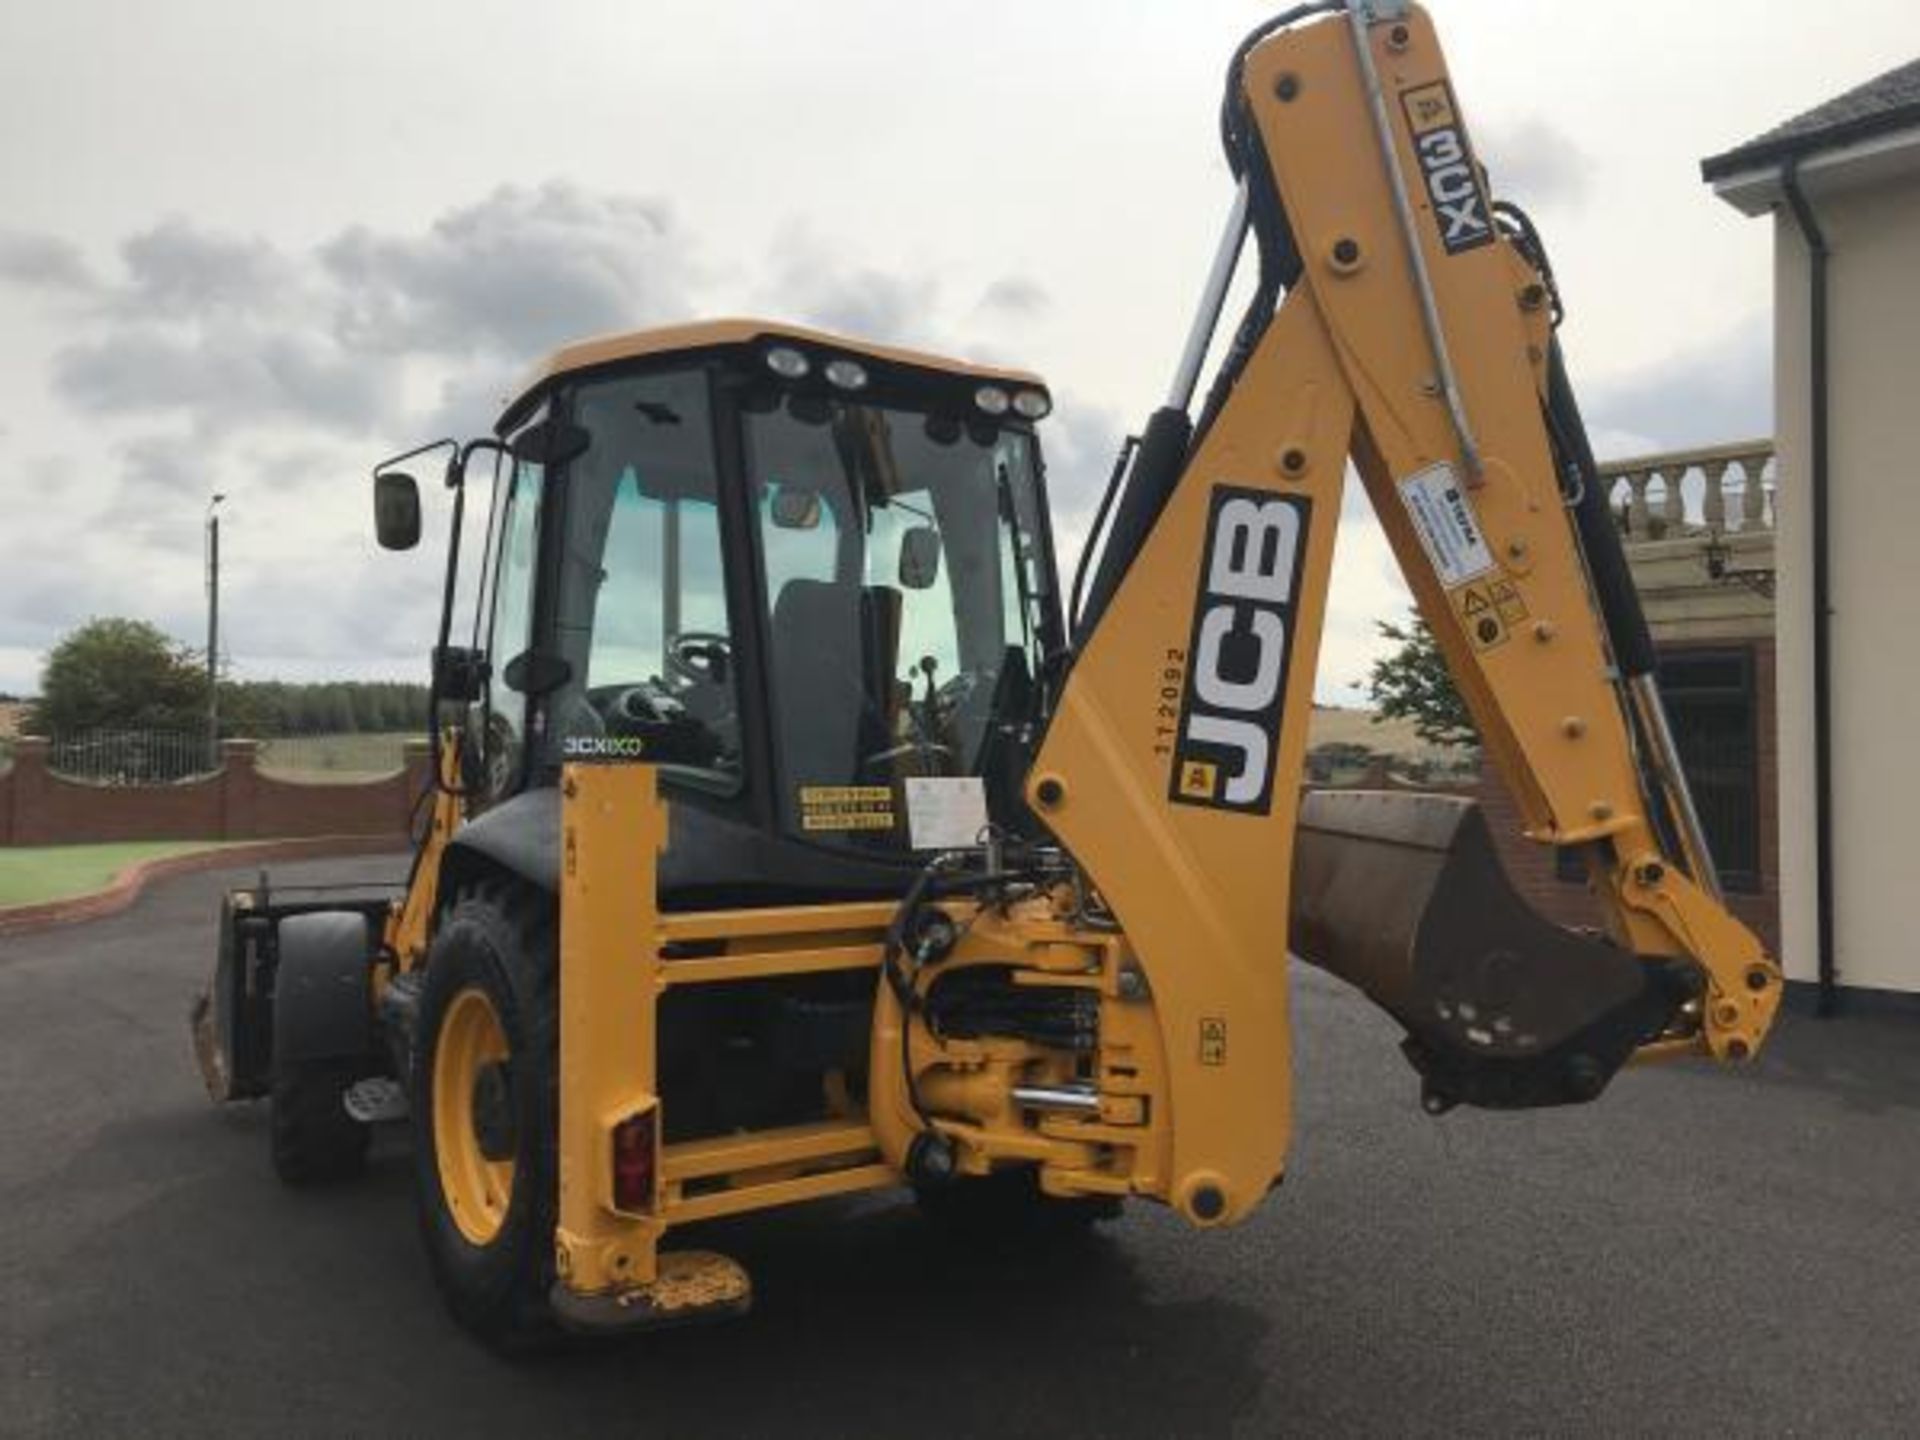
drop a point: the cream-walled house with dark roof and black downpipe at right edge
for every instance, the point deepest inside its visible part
(1842, 185)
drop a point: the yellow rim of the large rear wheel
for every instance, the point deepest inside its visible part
(471, 1053)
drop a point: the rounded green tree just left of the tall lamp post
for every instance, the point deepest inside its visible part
(120, 675)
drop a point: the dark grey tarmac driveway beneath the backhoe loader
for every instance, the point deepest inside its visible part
(1702, 1251)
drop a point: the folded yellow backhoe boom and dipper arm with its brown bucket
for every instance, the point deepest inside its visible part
(1416, 343)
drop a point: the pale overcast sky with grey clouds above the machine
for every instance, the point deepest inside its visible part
(256, 249)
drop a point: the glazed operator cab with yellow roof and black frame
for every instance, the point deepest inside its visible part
(790, 571)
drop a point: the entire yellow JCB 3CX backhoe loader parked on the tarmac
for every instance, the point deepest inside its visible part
(786, 844)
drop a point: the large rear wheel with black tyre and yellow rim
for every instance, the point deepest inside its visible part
(485, 1103)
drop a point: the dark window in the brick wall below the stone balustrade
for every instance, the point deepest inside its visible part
(1712, 709)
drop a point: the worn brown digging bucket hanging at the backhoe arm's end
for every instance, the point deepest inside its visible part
(1404, 898)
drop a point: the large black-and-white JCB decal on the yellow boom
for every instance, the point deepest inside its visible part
(1241, 650)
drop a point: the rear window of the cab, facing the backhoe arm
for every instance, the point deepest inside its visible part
(903, 588)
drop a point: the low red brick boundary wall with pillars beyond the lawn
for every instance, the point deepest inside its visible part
(39, 807)
